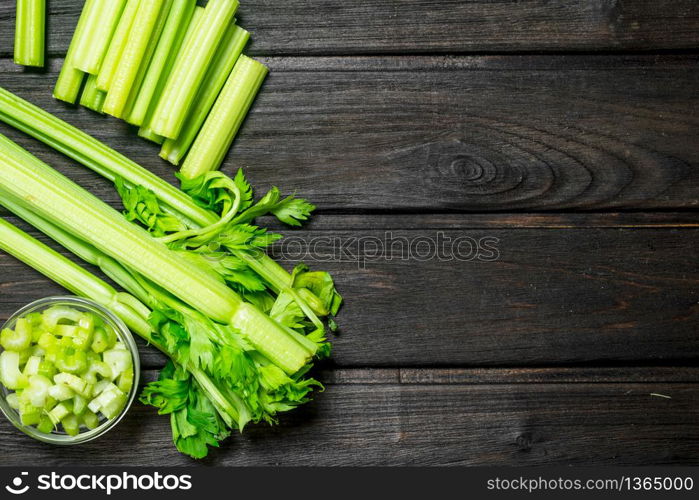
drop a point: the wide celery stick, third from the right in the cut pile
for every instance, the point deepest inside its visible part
(190, 68)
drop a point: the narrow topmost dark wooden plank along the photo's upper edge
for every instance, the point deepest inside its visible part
(385, 26)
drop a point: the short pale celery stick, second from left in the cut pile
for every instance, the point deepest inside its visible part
(103, 18)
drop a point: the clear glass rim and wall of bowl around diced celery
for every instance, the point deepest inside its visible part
(80, 304)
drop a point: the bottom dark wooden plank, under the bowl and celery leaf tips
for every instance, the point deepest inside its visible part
(416, 424)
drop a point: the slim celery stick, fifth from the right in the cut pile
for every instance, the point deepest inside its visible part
(168, 47)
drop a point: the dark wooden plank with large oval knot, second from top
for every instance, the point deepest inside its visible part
(513, 133)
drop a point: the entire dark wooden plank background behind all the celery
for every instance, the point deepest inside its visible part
(565, 129)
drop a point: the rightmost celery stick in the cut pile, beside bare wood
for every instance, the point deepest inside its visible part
(220, 127)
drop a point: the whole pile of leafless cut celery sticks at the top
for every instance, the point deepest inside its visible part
(169, 67)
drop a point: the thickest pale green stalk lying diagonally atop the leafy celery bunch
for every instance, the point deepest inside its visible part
(49, 194)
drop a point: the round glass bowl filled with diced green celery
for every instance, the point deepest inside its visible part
(69, 370)
